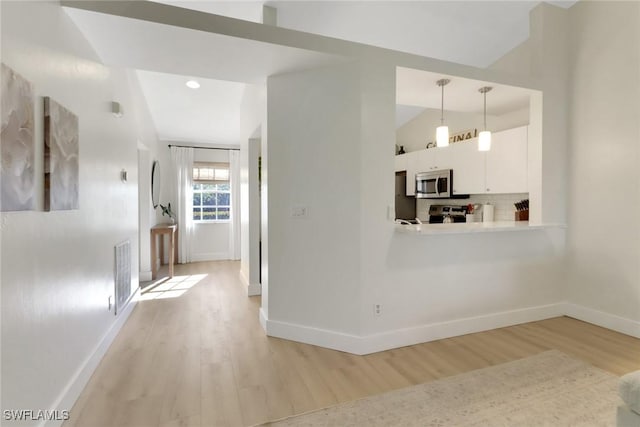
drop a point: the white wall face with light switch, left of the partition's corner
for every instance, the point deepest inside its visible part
(313, 163)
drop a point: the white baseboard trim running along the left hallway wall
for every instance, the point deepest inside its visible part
(79, 380)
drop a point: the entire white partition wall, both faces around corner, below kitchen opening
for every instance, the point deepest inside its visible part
(329, 133)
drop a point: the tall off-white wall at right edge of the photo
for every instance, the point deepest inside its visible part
(605, 171)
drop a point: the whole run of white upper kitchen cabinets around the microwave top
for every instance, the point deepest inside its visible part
(503, 169)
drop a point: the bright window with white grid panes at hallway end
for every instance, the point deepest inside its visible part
(211, 192)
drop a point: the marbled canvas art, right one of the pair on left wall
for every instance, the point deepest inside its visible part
(61, 165)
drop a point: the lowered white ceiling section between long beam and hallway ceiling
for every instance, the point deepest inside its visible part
(149, 46)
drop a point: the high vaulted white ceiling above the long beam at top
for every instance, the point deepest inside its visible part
(471, 32)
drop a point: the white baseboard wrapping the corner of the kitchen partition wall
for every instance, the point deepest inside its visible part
(403, 337)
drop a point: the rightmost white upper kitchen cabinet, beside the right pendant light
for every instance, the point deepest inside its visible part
(506, 162)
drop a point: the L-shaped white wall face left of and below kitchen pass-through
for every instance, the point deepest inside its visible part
(436, 286)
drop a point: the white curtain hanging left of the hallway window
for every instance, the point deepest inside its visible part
(182, 165)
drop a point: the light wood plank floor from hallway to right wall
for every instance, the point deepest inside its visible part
(200, 358)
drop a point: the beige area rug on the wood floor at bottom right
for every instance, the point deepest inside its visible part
(548, 389)
